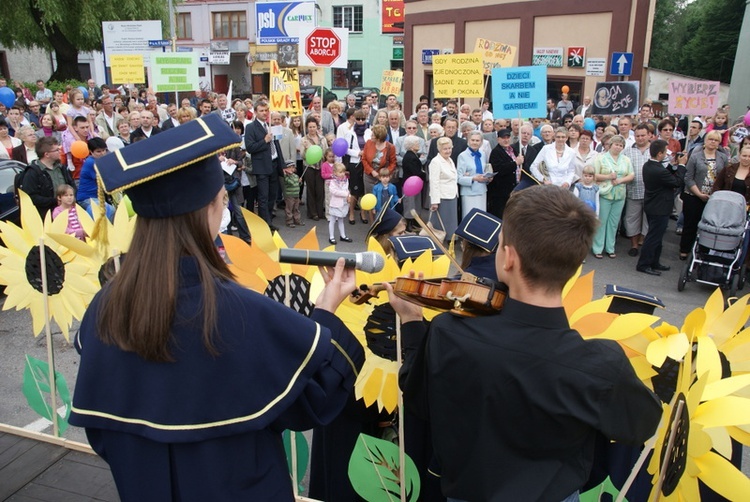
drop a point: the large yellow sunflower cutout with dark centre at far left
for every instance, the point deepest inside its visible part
(71, 275)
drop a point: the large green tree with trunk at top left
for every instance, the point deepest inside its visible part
(68, 26)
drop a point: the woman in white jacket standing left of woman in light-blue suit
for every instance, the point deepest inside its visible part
(444, 187)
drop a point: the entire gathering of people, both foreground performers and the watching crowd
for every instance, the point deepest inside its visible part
(174, 312)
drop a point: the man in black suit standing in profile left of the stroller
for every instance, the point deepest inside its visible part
(659, 181)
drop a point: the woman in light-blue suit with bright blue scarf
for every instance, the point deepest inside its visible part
(472, 178)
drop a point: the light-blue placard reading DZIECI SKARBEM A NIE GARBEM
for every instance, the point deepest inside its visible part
(519, 92)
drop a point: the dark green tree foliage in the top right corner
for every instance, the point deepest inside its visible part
(697, 38)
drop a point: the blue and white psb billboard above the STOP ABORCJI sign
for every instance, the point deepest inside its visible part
(281, 22)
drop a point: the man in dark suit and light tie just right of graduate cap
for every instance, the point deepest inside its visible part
(268, 162)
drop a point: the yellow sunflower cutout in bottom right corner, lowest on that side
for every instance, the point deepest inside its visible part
(693, 441)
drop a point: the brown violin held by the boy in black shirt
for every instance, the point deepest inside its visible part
(469, 296)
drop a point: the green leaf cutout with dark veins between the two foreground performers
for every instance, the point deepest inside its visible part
(374, 471)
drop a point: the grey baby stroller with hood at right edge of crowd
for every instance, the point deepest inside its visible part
(718, 254)
